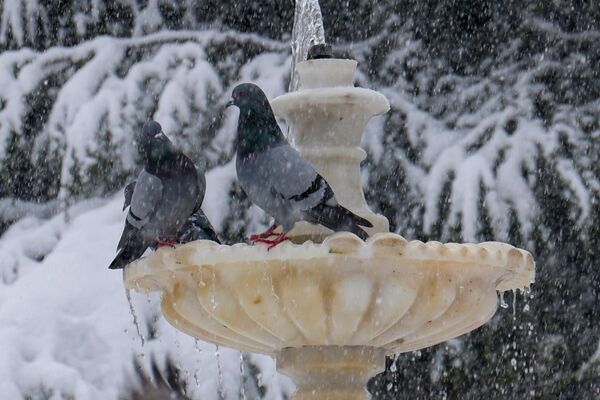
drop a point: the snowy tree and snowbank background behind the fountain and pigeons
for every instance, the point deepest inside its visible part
(493, 134)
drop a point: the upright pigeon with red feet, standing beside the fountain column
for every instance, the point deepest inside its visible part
(277, 178)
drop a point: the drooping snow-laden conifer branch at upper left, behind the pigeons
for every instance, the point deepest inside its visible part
(87, 101)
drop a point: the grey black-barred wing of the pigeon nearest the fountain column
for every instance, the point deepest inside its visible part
(292, 177)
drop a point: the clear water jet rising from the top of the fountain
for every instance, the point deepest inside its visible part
(307, 31)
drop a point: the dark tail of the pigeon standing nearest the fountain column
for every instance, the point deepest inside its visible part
(338, 218)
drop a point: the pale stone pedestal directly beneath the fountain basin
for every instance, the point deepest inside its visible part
(331, 372)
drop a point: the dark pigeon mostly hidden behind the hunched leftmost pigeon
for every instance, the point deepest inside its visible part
(197, 226)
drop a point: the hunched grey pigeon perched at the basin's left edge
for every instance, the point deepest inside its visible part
(164, 196)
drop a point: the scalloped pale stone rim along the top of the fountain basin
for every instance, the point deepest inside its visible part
(382, 245)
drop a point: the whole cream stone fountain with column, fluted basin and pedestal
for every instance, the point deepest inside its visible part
(330, 307)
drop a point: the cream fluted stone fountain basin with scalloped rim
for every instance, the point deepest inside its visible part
(384, 293)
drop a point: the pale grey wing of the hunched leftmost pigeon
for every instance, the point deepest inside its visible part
(146, 196)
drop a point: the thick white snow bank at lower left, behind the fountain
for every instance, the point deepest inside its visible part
(65, 323)
